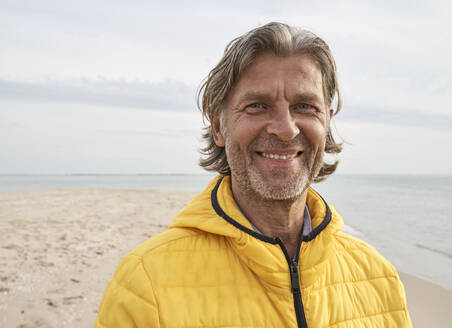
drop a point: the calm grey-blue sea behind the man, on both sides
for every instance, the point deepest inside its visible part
(407, 218)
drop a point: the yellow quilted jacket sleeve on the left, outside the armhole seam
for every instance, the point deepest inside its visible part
(129, 299)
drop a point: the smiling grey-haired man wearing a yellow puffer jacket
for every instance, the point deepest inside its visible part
(259, 248)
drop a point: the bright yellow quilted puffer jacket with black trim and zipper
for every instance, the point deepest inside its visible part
(209, 269)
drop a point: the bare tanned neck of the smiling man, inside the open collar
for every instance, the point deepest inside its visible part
(274, 218)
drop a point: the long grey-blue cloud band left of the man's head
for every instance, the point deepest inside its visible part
(172, 95)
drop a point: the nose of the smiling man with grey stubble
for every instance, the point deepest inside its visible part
(283, 125)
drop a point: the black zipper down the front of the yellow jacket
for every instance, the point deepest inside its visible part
(295, 283)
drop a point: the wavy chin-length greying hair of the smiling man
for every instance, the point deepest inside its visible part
(281, 40)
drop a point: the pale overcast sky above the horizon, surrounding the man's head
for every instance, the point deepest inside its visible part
(109, 86)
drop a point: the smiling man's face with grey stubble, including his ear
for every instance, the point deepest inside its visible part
(275, 127)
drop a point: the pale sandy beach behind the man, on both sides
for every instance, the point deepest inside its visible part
(59, 249)
